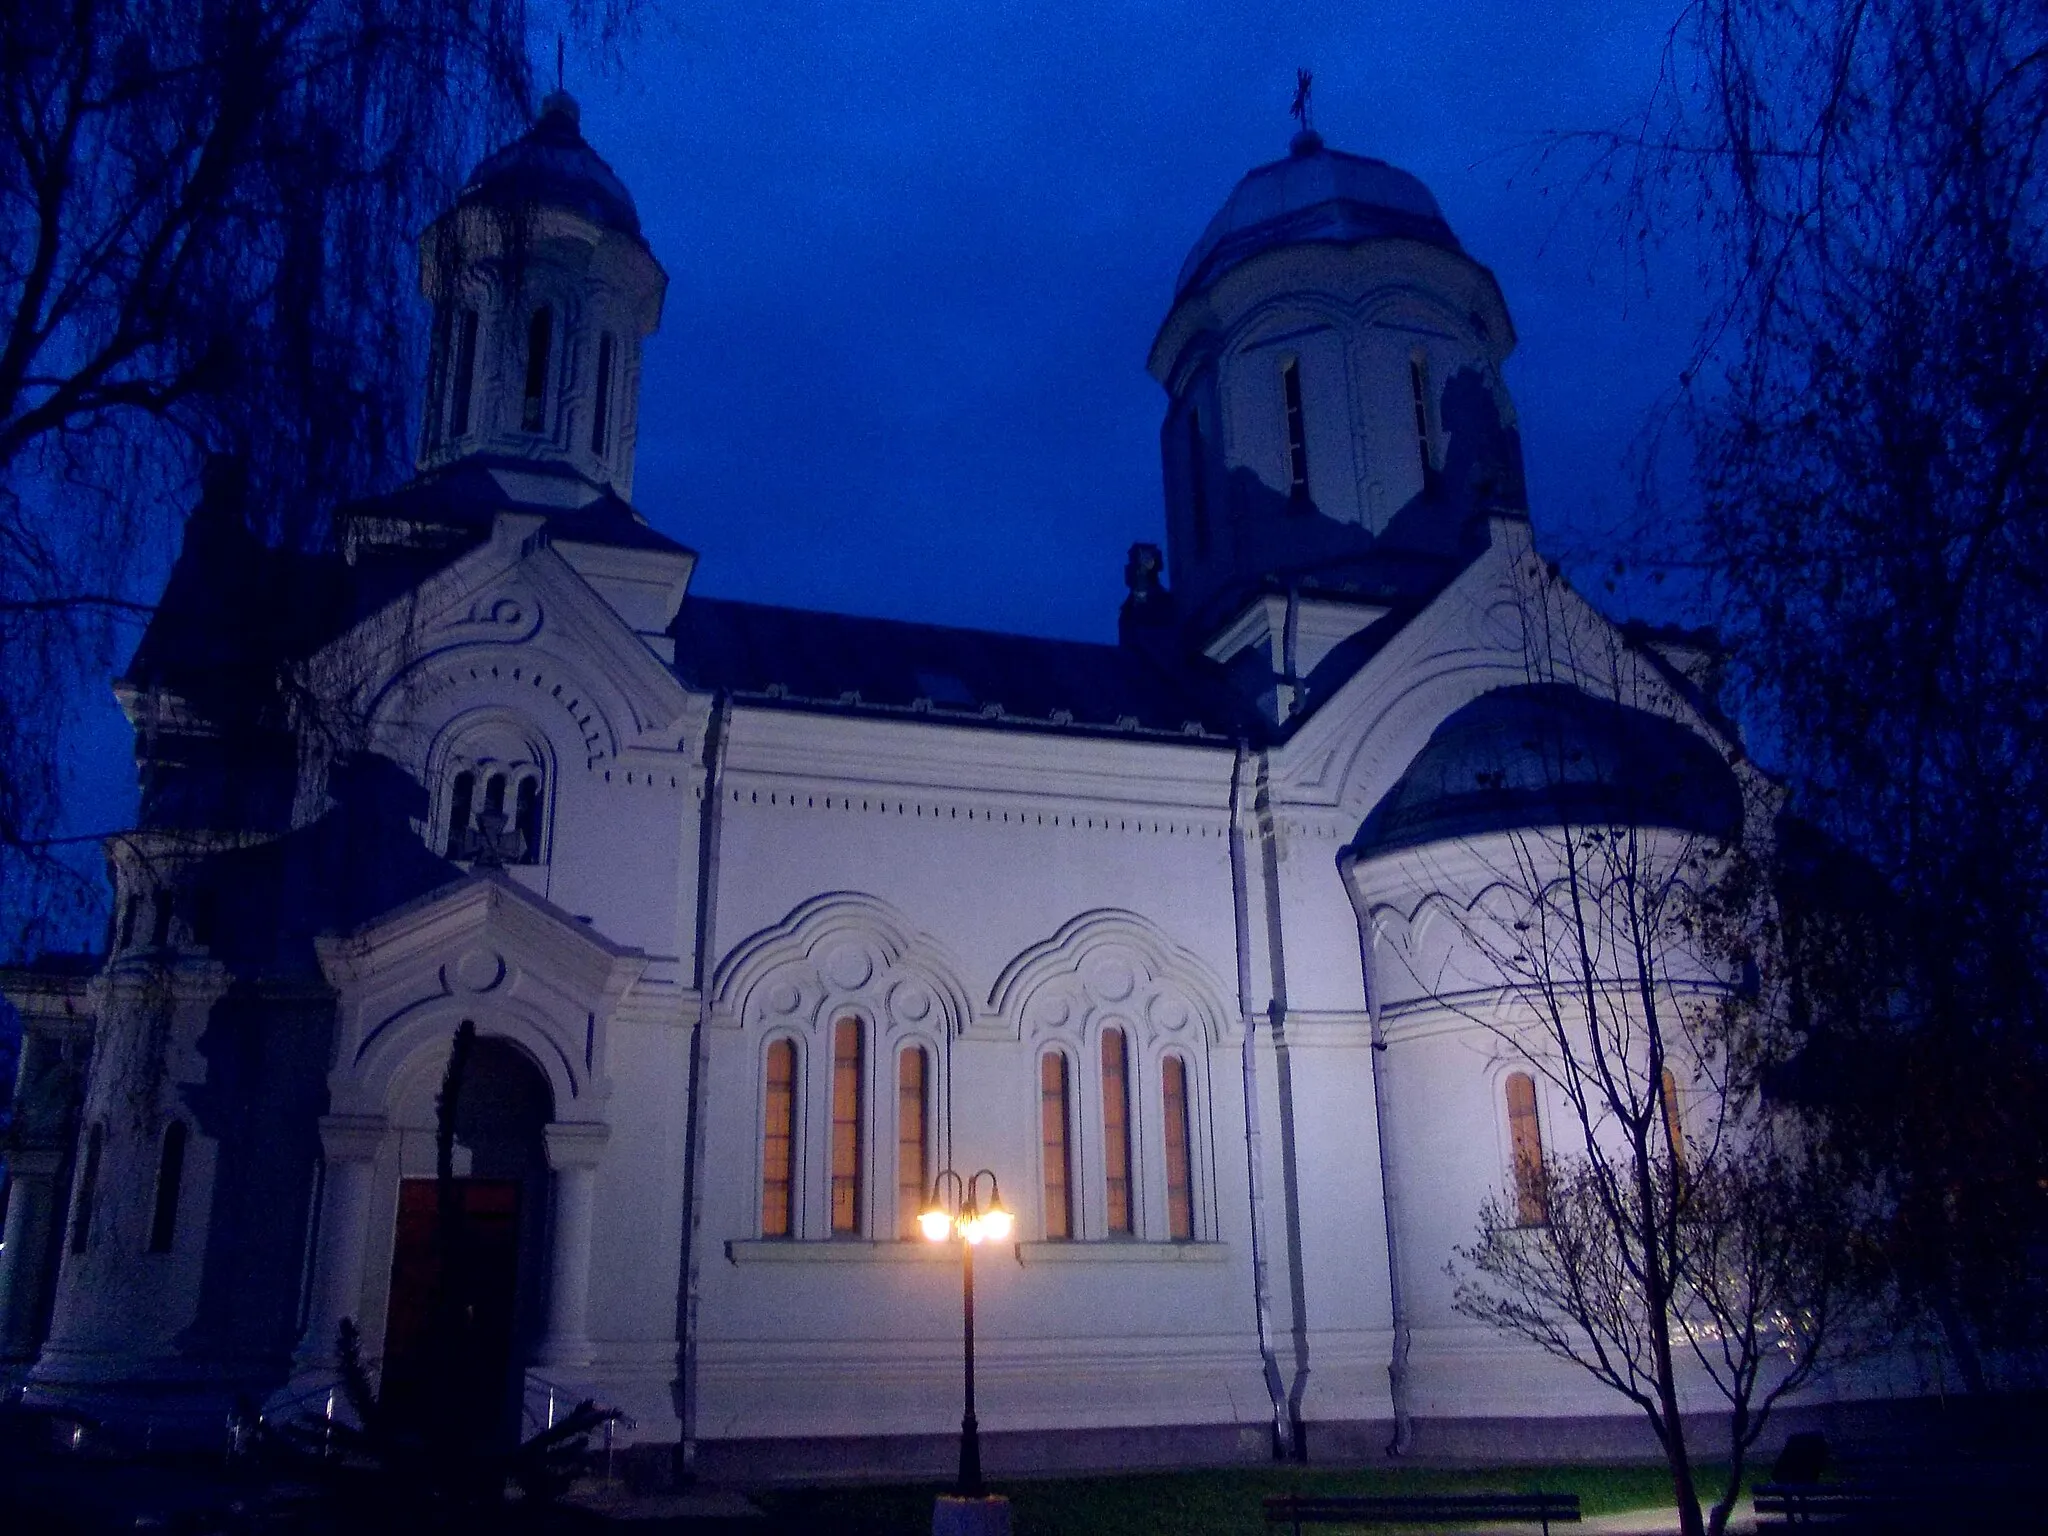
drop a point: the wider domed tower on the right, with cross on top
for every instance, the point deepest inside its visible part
(1336, 415)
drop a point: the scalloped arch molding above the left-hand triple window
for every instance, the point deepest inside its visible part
(841, 951)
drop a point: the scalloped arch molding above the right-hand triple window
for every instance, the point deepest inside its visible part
(1109, 964)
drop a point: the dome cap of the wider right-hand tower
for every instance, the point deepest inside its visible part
(1318, 196)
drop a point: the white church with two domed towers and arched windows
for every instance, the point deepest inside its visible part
(767, 916)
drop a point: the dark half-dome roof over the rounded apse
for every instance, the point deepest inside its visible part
(1545, 755)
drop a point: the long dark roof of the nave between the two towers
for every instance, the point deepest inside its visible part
(970, 677)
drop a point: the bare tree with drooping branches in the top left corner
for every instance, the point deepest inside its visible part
(208, 218)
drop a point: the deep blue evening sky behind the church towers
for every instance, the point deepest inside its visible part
(919, 253)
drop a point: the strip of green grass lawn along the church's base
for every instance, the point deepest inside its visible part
(1199, 1504)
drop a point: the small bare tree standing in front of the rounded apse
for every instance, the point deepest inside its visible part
(1680, 1238)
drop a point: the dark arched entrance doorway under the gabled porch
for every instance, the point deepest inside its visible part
(468, 1258)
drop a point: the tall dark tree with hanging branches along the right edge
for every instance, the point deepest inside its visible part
(1865, 185)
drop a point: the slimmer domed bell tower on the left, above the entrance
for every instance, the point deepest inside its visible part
(544, 292)
